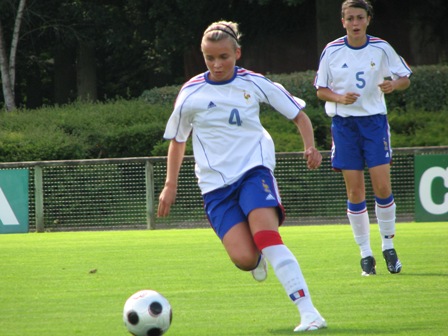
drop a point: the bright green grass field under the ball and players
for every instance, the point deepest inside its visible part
(47, 287)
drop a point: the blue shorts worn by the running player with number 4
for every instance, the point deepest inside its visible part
(228, 206)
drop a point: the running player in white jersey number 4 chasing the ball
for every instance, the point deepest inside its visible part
(235, 161)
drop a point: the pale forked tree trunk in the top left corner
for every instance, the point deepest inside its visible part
(8, 67)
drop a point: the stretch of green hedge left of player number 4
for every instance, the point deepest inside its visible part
(82, 131)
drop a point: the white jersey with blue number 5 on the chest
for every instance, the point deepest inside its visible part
(345, 69)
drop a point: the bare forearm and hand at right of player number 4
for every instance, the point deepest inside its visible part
(305, 127)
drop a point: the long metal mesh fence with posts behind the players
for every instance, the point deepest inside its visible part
(123, 193)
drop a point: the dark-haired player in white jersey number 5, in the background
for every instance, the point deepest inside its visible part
(355, 72)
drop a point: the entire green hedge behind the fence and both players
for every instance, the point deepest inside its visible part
(126, 128)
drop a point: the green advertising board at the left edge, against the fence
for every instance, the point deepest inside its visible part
(14, 201)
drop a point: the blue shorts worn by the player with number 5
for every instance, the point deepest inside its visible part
(360, 141)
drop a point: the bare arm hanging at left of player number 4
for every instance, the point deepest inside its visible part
(176, 152)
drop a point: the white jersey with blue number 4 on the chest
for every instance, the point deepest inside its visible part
(224, 117)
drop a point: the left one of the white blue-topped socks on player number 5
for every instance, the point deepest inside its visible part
(358, 217)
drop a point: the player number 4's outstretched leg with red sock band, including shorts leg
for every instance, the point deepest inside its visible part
(260, 201)
